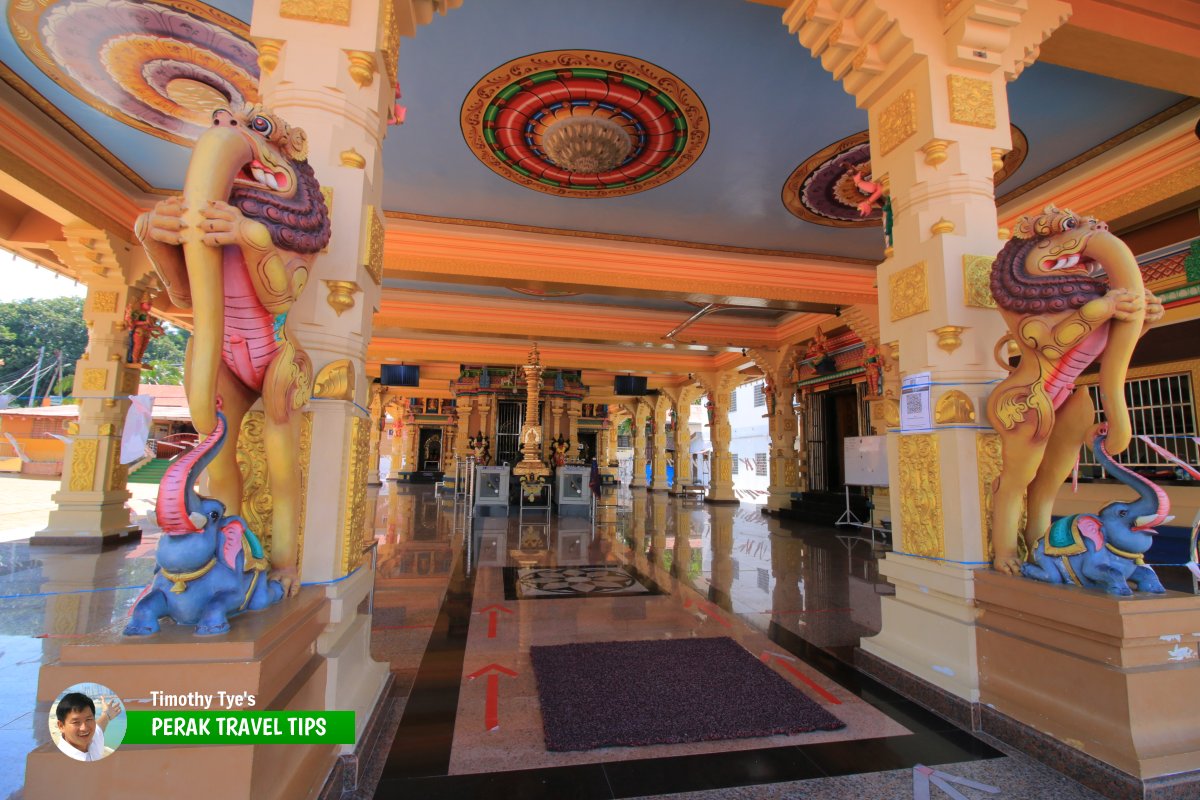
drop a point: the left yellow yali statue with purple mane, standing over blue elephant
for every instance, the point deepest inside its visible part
(237, 249)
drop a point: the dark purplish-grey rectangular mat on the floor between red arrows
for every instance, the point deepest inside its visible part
(668, 691)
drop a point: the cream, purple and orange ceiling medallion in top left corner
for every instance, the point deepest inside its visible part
(155, 65)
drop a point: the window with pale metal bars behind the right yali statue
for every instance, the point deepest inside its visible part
(1161, 408)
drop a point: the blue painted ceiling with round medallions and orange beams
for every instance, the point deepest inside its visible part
(727, 142)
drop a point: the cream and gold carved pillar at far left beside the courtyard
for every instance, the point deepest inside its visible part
(91, 502)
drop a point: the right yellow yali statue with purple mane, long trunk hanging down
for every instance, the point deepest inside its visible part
(1072, 294)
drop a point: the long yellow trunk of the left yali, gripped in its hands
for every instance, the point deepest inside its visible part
(218, 159)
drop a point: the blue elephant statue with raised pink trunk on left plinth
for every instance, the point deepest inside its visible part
(209, 567)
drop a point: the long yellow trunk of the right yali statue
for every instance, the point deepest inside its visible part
(1124, 274)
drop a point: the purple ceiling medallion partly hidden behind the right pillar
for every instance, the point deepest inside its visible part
(823, 189)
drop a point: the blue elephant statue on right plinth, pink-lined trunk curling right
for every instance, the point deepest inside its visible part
(1105, 551)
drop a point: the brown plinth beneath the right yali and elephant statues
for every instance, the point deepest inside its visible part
(1107, 676)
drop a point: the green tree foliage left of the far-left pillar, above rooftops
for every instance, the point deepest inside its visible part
(28, 326)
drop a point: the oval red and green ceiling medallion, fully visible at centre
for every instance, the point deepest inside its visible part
(585, 124)
